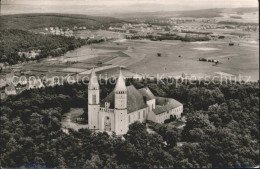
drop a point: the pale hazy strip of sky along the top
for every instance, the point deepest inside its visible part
(103, 7)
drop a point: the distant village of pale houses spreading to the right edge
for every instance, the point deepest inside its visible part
(179, 26)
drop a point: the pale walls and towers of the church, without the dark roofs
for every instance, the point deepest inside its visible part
(118, 118)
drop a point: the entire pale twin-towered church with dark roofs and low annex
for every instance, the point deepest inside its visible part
(125, 105)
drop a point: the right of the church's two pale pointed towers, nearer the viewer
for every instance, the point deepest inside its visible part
(121, 125)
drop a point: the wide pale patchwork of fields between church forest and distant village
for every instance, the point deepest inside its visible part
(176, 58)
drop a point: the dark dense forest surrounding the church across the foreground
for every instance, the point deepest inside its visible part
(225, 135)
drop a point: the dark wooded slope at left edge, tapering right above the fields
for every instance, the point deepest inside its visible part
(13, 41)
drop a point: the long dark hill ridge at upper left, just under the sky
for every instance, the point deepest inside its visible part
(35, 21)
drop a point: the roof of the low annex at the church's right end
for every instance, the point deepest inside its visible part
(165, 104)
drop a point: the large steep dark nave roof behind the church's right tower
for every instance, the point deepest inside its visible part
(135, 100)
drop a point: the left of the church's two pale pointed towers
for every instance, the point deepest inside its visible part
(93, 101)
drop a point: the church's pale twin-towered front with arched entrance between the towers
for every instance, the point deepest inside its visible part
(104, 118)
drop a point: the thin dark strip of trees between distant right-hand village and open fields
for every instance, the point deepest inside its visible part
(186, 38)
